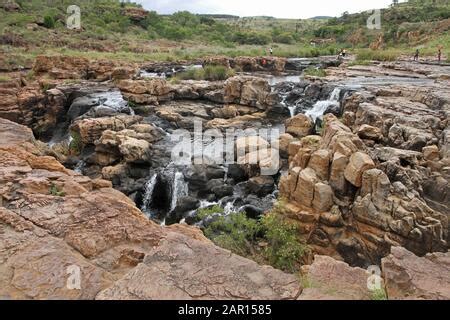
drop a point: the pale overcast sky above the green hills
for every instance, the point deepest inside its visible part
(276, 8)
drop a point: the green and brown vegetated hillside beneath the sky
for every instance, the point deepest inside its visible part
(108, 31)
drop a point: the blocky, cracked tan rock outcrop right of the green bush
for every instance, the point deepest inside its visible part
(347, 205)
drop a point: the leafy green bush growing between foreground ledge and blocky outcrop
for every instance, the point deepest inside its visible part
(272, 239)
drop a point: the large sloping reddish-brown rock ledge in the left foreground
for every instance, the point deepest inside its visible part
(120, 253)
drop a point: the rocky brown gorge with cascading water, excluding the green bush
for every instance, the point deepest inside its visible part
(364, 172)
